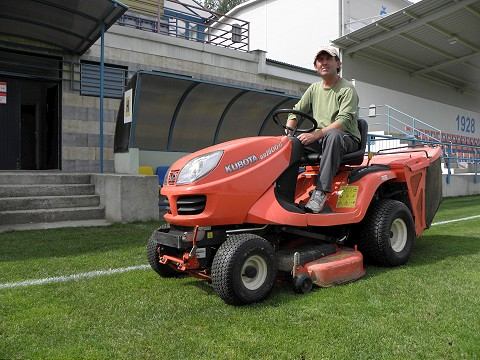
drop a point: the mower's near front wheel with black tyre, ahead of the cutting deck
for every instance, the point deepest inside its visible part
(244, 269)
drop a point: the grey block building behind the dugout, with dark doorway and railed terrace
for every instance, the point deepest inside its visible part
(50, 96)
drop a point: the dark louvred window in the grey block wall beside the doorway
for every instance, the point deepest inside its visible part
(114, 80)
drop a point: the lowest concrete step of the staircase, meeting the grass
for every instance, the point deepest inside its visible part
(51, 215)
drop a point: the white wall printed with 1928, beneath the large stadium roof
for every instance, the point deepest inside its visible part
(430, 102)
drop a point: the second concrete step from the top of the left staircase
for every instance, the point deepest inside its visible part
(46, 190)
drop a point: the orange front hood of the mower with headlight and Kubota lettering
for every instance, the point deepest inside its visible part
(240, 170)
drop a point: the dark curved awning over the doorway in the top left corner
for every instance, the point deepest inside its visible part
(70, 25)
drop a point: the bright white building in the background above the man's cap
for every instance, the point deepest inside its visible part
(291, 31)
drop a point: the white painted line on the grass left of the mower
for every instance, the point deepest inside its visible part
(74, 277)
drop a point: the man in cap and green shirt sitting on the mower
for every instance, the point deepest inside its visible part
(333, 102)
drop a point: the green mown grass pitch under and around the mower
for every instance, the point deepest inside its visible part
(428, 309)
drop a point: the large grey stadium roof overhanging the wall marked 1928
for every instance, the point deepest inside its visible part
(434, 39)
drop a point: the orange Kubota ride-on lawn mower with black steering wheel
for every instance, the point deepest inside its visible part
(236, 215)
